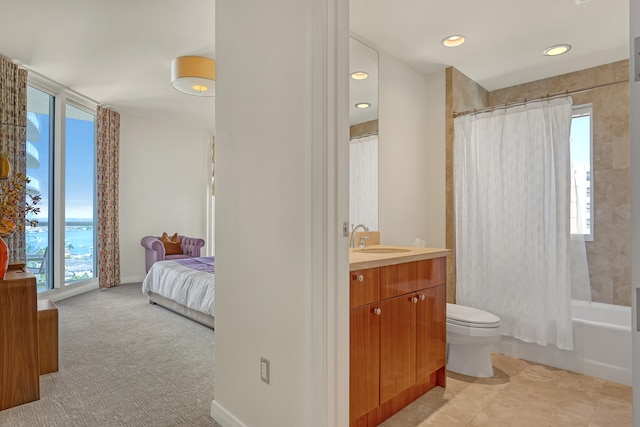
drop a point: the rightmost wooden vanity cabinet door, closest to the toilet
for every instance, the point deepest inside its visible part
(431, 332)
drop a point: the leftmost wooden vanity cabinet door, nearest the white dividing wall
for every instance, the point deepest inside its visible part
(364, 382)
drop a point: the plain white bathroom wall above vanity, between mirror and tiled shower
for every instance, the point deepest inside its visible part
(412, 154)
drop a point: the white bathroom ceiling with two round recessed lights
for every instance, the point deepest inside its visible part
(505, 38)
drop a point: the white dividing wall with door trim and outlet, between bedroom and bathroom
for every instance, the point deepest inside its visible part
(281, 261)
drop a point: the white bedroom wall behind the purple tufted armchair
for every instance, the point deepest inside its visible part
(164, 179)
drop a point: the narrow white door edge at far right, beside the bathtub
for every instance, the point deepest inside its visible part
(634, 86)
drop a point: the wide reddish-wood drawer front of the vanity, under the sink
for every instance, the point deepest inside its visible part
(401, 279)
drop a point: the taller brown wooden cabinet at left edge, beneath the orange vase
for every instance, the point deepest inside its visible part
(19, 362)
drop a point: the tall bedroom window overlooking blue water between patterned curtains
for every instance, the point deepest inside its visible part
(61, 165)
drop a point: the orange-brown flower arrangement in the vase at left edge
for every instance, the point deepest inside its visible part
(13, 206)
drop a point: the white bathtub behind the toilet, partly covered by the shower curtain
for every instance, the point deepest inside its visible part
(601, 341)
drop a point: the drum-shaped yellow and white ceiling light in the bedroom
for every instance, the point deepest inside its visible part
(194, 75)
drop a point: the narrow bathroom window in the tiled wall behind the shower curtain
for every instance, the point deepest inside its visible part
(581, 166)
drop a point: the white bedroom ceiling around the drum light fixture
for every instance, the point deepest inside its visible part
(116, 52)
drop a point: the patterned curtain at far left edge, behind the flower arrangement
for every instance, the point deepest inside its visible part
(13, 122)
